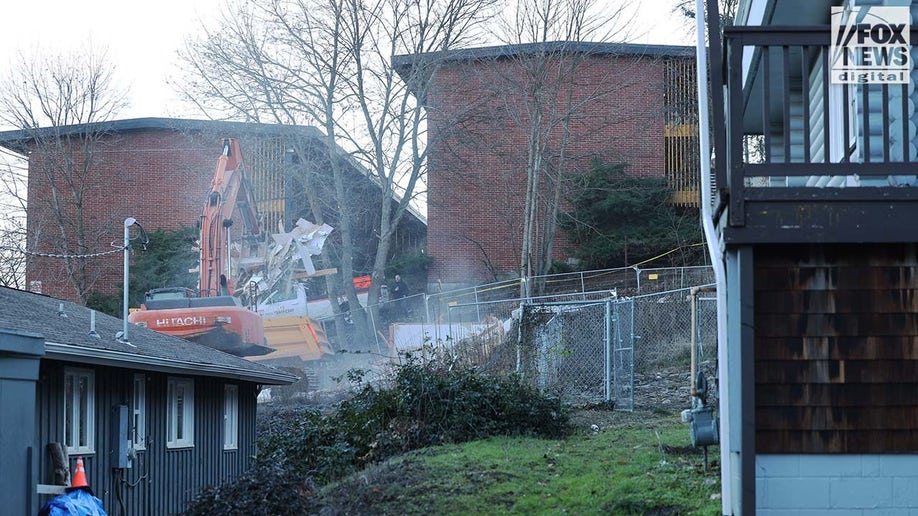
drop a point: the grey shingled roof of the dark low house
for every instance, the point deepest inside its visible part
(65, 327)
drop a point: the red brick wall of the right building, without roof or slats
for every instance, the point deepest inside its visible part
(479, 129)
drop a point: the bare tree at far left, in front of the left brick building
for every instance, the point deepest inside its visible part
(43, 96)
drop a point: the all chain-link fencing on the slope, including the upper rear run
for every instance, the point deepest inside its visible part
(636, 355)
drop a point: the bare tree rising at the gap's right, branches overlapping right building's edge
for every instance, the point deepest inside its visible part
(391, 102)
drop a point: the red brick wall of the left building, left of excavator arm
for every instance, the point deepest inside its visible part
(159, 177)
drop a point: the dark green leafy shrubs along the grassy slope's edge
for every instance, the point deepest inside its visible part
(421, 404)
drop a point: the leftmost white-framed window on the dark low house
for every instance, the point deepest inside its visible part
(79, 411)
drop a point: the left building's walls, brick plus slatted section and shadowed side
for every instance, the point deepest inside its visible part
(162, 178)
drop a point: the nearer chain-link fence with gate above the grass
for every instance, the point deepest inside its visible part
(631, 352)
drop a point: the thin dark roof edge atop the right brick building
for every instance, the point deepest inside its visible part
(406, 61)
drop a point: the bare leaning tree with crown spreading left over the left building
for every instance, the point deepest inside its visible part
(284, 59)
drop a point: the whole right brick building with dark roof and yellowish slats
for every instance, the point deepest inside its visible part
(631, 104)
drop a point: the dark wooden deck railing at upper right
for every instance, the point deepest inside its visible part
(787, 125)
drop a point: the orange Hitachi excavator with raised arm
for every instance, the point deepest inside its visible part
(214, 317)
